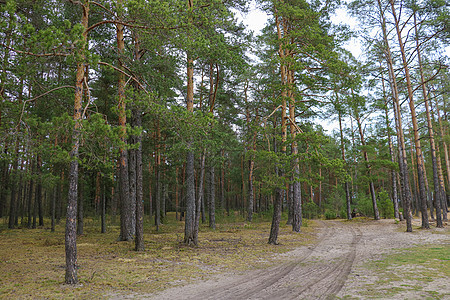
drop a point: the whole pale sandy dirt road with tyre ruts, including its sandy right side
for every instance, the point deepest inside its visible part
(329, 269)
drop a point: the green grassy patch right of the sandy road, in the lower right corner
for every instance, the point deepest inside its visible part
(413, 270)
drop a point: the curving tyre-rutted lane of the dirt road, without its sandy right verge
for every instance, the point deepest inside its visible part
(313, 272)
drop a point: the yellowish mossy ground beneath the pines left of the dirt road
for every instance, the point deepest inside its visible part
(32, 263)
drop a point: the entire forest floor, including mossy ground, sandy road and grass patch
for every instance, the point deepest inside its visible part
(330, 259)
